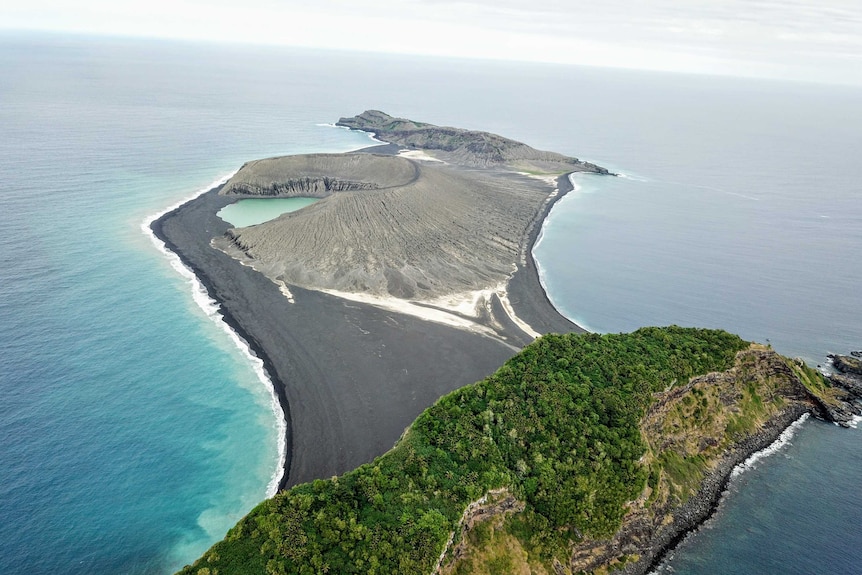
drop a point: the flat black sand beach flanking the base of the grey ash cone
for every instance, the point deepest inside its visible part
(350, 377)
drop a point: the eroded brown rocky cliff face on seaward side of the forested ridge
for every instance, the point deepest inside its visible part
(696, 435)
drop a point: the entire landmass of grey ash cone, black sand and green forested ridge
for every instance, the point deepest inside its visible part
(582, 453)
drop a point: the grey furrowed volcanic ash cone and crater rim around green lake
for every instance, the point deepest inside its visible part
(387, 225)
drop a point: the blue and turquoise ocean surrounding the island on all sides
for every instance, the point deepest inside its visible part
(136, 430)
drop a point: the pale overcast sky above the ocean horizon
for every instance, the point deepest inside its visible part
(814, 40)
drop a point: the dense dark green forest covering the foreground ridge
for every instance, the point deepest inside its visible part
(557, 425)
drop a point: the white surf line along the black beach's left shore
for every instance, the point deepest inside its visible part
(212, 309)
